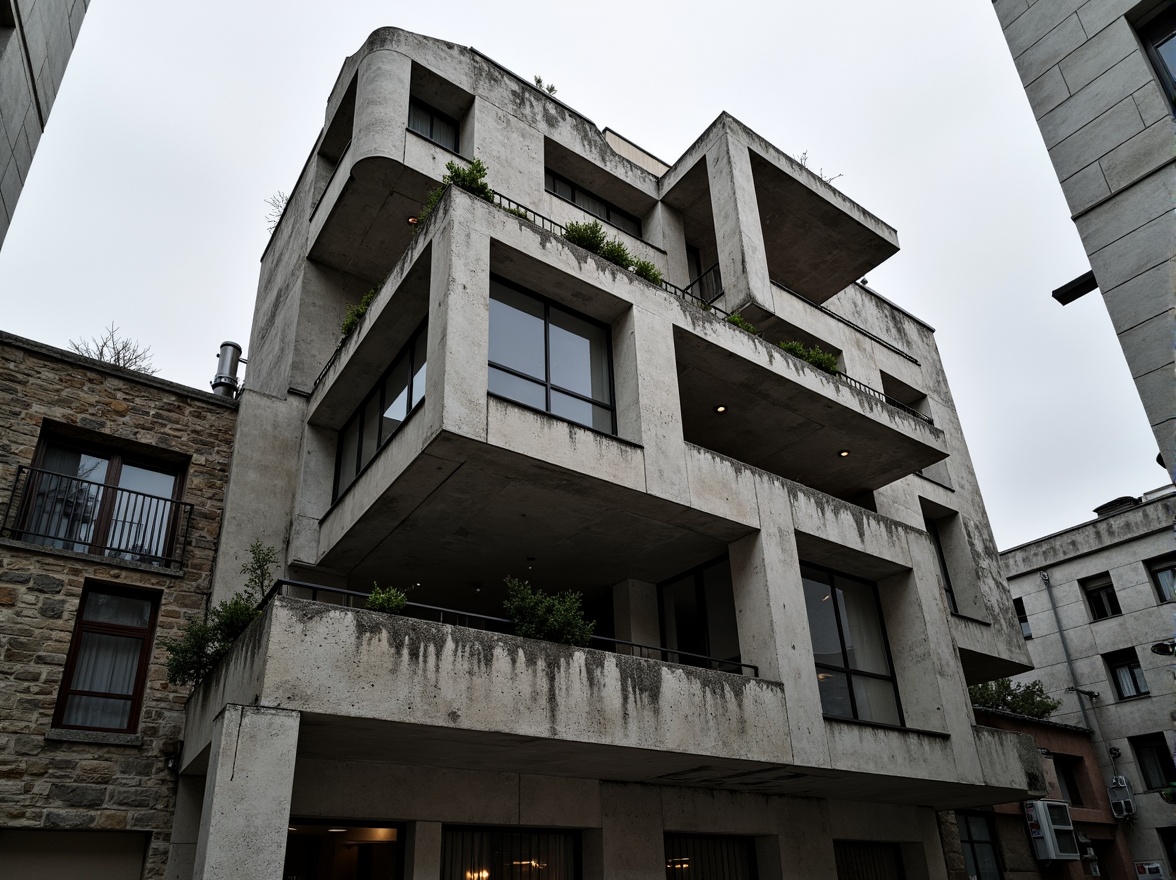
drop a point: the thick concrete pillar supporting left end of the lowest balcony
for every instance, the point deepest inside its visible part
(248, 795)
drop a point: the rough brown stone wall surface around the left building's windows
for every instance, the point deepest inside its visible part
(52, 784)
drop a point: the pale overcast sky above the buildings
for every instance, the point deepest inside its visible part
(176, 122)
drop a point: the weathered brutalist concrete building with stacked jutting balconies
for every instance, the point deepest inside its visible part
(791, 570)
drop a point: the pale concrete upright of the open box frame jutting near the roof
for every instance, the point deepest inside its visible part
(743, 256)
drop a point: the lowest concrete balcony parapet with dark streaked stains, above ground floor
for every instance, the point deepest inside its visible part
(376, 689)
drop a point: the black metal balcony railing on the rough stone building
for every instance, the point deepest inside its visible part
(69, 514)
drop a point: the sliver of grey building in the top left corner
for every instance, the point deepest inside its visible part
(37, 38)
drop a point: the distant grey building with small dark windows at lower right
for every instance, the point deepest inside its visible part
(1093, 601)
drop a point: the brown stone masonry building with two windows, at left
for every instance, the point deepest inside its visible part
(111, 491)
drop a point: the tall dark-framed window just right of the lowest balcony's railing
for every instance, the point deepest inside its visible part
(853, 659)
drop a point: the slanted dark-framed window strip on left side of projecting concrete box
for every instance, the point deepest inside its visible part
(397, 396)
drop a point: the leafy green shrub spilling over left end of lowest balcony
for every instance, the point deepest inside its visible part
(203, 644)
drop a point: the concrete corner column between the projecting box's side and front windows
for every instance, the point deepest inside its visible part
(459, 321)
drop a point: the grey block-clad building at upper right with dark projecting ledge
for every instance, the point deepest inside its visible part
(1101, 79)
